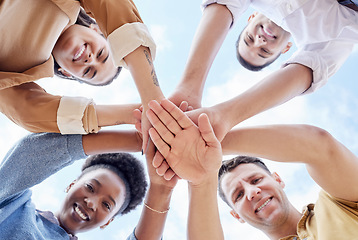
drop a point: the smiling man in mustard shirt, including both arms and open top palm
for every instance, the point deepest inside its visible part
(254, 193)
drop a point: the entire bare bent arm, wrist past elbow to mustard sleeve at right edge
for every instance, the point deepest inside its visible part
(328, 162)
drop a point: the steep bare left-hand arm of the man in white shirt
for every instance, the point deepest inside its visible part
(211, 32)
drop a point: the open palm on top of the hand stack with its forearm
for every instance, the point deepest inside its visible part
(194, 154)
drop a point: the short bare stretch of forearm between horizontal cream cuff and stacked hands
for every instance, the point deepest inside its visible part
(109, 115)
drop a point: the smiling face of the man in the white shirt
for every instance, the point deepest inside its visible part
(262, 41)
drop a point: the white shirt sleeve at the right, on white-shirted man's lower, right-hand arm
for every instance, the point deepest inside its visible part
(324, 59)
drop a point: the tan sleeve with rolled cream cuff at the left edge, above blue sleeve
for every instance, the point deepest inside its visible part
(32, 108)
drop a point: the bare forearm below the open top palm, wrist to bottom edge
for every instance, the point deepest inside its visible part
(203, 218)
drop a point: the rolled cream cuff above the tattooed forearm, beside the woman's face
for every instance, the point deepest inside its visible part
(129, 37)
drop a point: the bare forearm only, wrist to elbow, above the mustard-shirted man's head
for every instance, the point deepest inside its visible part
(282, 143)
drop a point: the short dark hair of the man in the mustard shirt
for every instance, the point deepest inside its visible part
(228, 165)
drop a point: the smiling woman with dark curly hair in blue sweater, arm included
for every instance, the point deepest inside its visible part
(110, 184)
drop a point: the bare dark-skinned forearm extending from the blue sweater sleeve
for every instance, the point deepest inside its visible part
(112, 141)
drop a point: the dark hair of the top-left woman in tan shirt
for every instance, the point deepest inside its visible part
(84, 20)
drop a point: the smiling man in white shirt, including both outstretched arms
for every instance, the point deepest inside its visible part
(324, 32)
